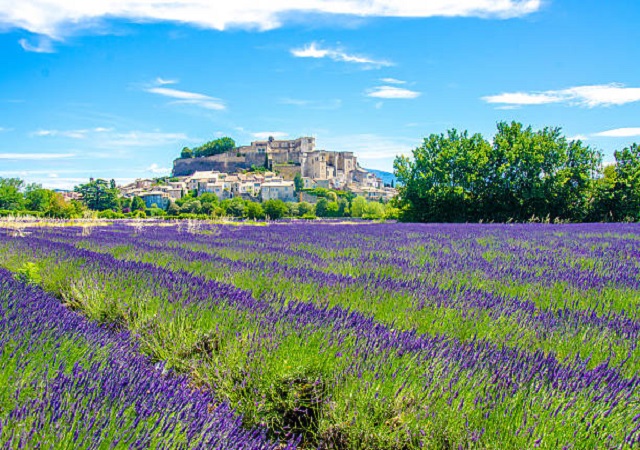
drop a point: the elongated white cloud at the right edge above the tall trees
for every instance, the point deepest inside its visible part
(589, 96)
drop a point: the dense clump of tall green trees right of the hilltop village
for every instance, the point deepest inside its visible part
(521, 175)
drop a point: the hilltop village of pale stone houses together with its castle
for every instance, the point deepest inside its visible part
(287, 170)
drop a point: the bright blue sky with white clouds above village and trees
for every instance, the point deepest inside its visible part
(116, 89)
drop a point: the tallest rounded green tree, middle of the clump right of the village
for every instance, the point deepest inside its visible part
(539, 173)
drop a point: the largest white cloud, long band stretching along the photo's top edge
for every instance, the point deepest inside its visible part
(57, 17)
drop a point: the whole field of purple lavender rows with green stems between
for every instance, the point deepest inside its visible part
(320, 335)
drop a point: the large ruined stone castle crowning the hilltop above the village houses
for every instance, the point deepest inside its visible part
(287, 157)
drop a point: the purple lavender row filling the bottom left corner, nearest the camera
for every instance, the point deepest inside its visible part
(118, 391)
